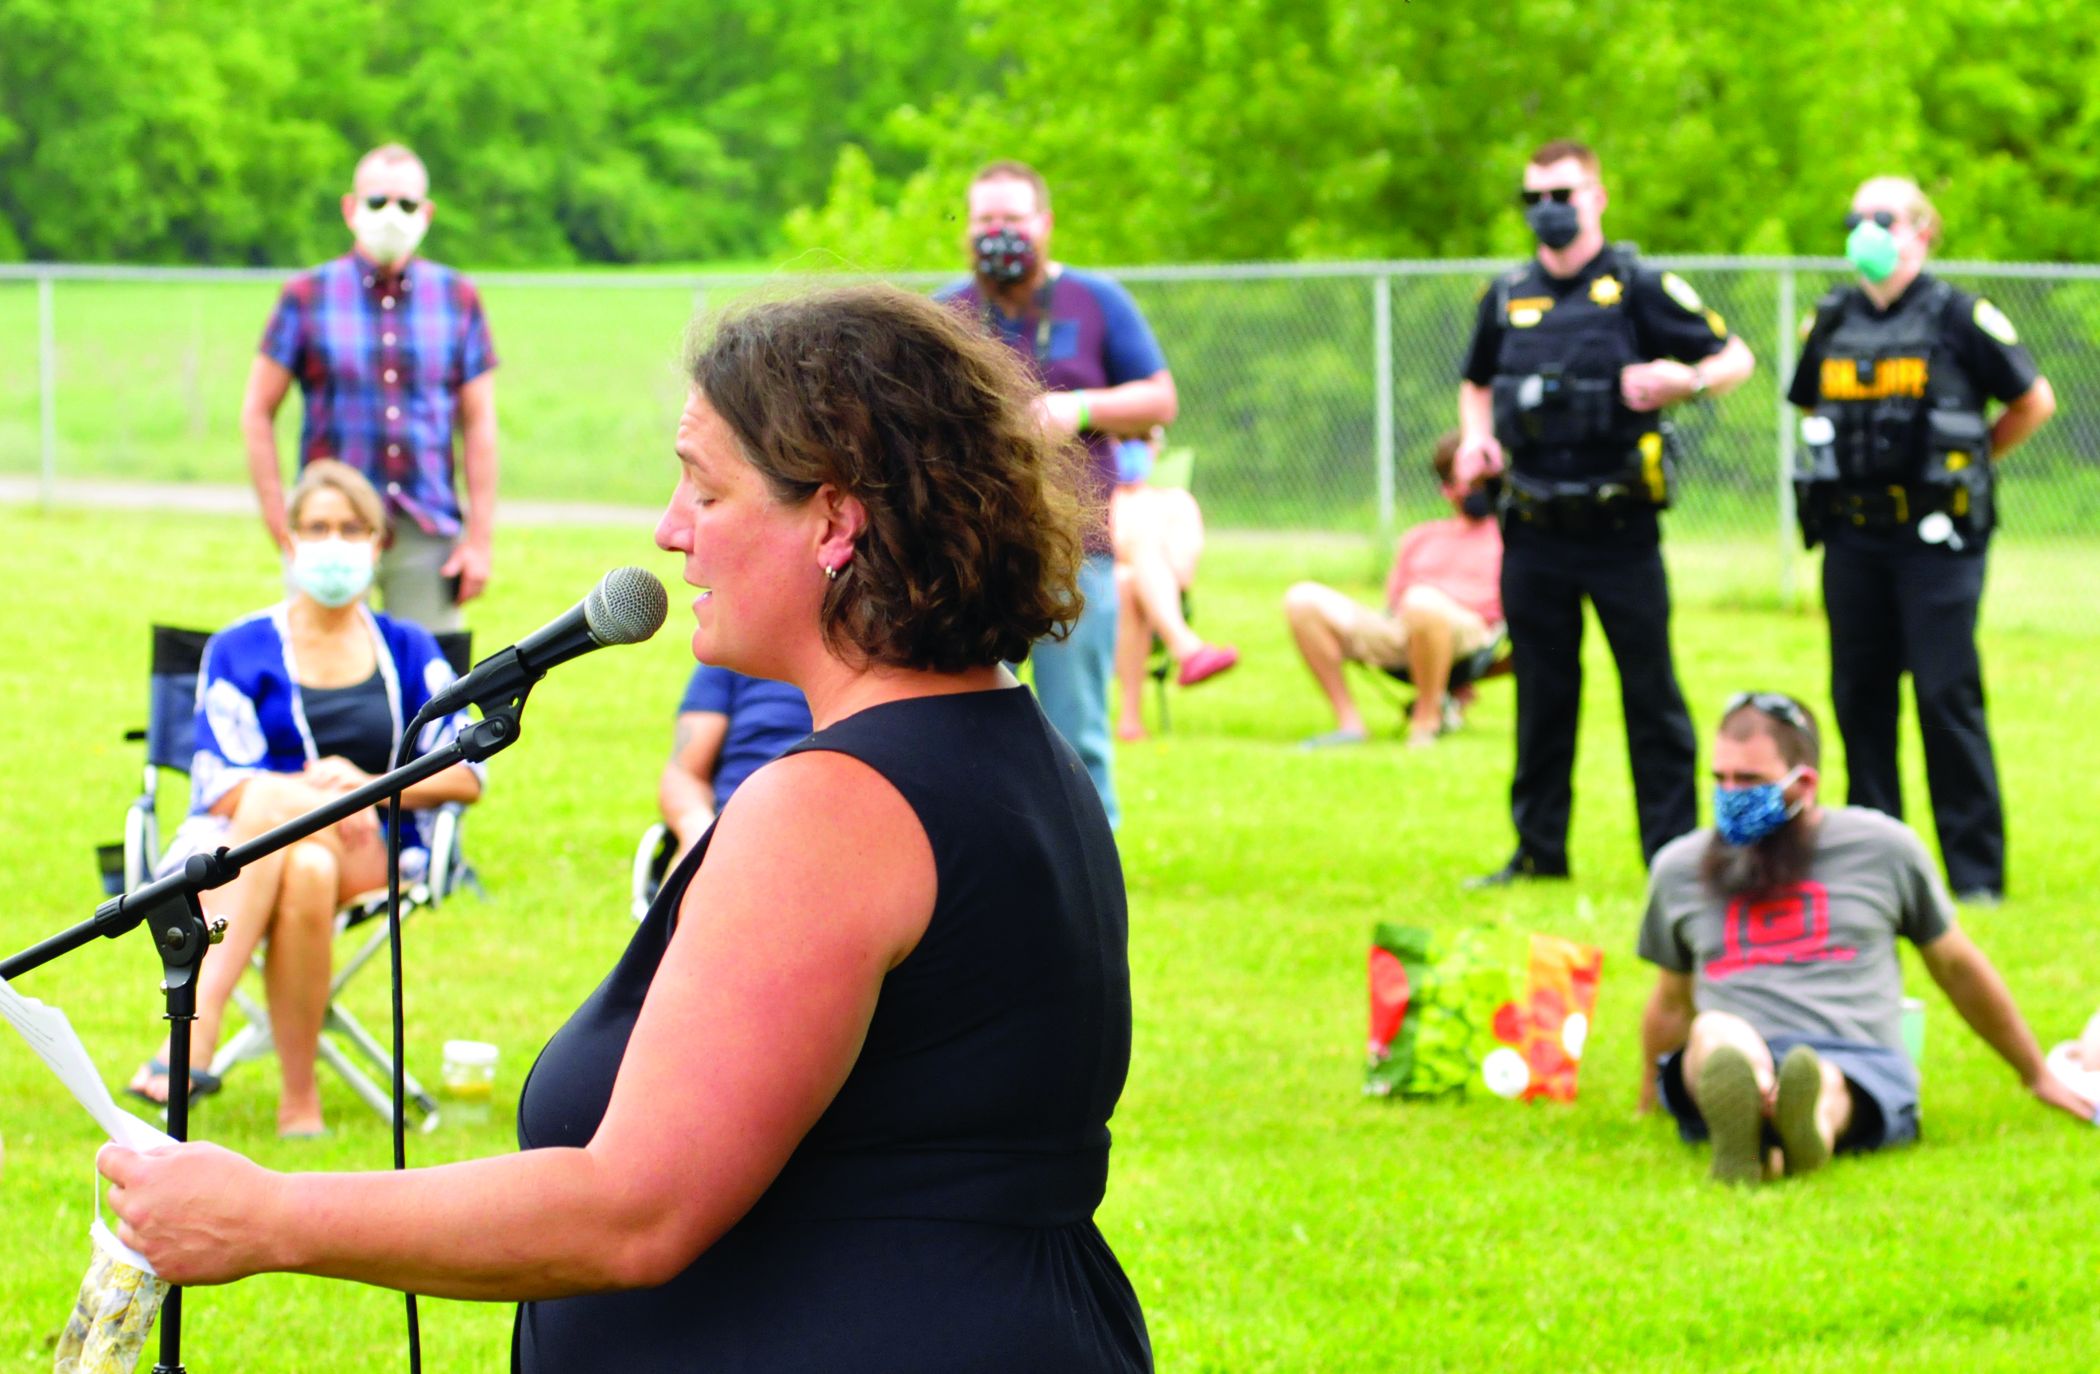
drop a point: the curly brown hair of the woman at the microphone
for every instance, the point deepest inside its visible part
(975, 514)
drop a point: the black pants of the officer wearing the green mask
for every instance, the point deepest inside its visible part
(1914, 610)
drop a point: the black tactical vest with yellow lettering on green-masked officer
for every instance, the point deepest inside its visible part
(1897, 400)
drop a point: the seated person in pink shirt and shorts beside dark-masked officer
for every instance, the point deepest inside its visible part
(1444, 602)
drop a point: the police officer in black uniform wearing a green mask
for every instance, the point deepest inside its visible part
(1897, 482)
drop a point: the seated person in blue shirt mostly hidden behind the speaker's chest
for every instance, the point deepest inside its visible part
(728, 728)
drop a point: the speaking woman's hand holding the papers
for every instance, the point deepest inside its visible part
(198, 1213)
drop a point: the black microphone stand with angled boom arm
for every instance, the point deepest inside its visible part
(175, 919)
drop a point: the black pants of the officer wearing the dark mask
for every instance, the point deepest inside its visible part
(1545, 581)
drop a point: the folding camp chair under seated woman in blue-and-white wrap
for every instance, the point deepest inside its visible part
(169, 743)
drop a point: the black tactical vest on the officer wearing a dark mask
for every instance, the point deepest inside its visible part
(1557, 377)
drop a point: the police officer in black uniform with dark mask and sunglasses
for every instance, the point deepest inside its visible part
(1572, 362)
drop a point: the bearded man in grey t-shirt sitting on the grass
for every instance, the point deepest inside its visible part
(1788, 917)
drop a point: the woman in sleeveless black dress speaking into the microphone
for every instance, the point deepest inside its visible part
(843, 1102)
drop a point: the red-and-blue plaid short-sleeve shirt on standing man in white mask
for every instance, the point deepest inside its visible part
(381, 362)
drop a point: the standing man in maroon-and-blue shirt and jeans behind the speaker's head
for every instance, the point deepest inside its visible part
(1104, 379)
